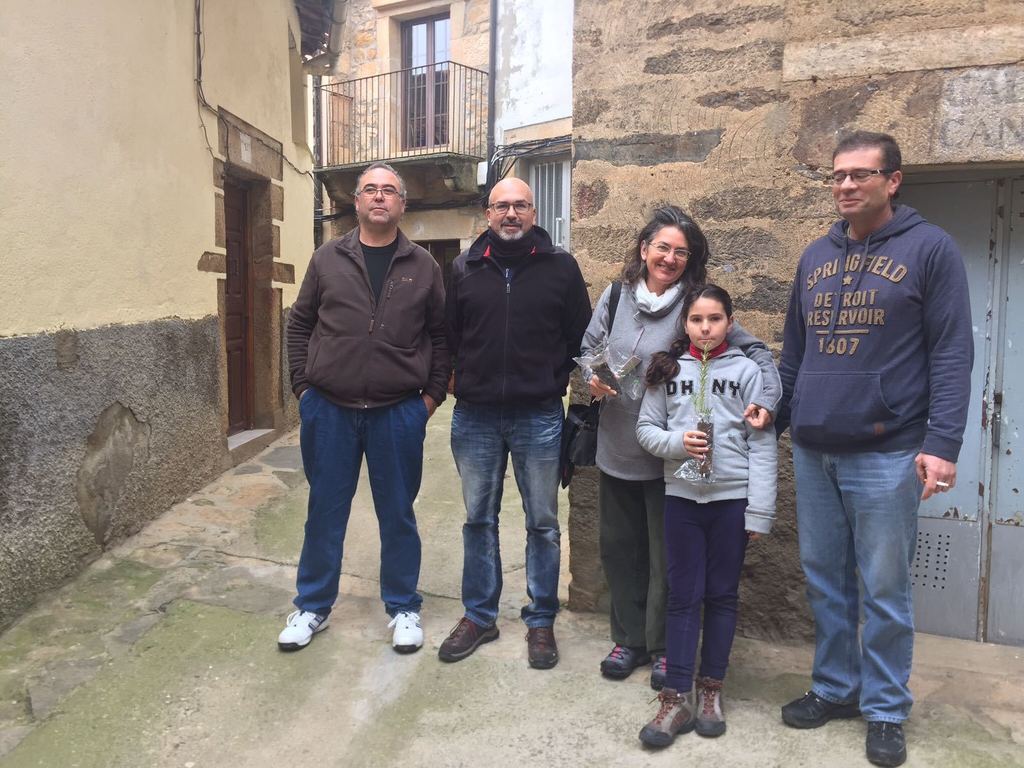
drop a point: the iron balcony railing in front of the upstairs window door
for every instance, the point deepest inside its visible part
(441, 108)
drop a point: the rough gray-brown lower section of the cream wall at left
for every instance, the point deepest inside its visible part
(101, 432)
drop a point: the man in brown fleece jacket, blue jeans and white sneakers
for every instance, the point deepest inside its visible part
(370, 365)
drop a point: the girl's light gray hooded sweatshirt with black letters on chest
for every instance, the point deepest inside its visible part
(745, 459)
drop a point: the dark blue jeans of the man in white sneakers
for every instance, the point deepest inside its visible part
(334, 441)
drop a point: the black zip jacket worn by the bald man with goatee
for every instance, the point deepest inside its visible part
(514, 333)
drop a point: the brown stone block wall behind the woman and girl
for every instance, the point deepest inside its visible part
(732, 110)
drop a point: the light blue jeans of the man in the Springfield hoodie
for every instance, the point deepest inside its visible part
(858, 514)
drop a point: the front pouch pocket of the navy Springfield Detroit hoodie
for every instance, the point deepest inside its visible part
(831, 408)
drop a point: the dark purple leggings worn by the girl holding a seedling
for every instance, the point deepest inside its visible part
(705, 547)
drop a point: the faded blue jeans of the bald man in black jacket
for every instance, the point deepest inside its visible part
(483, 438)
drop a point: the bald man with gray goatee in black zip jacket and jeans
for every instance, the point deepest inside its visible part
(517, 312)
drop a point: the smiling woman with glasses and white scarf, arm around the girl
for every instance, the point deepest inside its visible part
(670, 260)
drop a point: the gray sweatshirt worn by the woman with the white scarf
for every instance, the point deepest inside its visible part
(642, 333)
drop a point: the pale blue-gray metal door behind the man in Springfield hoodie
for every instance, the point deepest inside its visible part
(969, 571)
